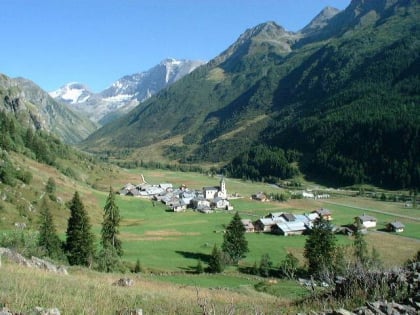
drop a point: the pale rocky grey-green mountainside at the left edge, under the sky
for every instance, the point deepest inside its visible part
(35, 108)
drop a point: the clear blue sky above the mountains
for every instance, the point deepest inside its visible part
(96, 42)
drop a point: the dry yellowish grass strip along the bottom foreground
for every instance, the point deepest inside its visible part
(87, 292)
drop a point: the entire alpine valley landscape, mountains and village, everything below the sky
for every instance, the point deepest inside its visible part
(322, 124)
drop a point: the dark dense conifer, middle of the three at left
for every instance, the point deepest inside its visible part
(79, 238)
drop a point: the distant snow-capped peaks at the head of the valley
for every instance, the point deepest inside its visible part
(126, 93)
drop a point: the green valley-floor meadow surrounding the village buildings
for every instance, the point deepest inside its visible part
(165, 241)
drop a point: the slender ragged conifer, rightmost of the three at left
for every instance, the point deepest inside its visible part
(111, 223)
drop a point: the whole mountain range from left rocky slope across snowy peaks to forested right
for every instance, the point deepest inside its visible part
(337, 101)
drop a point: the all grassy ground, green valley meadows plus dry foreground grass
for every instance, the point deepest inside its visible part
(169, 246)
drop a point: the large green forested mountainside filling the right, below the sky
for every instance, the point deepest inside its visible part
(334, 93)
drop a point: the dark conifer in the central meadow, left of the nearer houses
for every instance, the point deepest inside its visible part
(235, 244)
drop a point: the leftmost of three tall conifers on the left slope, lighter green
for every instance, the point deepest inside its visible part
(48, 238)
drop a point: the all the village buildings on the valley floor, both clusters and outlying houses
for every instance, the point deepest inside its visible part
(213, 198)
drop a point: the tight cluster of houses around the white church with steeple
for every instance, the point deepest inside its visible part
(205, 200)
